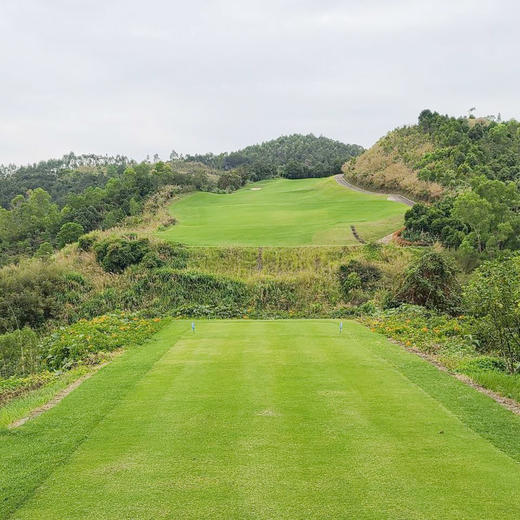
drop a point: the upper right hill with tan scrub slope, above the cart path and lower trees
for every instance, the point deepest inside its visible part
(440, 154)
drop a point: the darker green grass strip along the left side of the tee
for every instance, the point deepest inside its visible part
(29, 454)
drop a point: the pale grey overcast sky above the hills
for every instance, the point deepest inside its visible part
(141, 77)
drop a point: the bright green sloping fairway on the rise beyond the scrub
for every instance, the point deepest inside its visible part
(283, 212)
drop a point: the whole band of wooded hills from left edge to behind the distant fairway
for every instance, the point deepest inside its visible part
(51, 203)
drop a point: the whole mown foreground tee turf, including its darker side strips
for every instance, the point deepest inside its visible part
(262, 420)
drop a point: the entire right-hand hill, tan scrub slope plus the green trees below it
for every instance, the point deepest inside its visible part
(469, 168)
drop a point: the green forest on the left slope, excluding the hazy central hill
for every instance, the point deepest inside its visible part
(40, 220)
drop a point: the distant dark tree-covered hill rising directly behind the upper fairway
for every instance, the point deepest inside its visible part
(292, 156)
